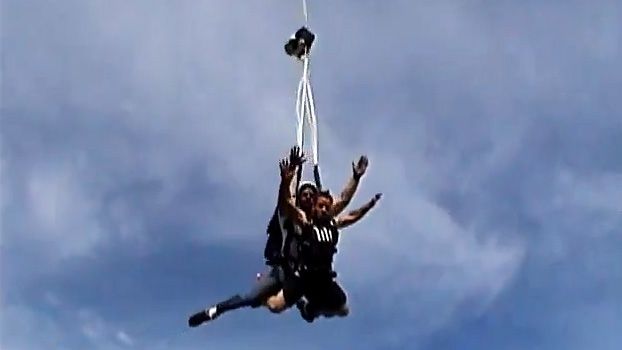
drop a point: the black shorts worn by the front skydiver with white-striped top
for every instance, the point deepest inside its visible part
(322, 291)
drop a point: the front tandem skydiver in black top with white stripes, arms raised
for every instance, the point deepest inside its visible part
(317, 236)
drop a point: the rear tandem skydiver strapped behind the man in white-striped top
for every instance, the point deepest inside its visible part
(279, 246)
